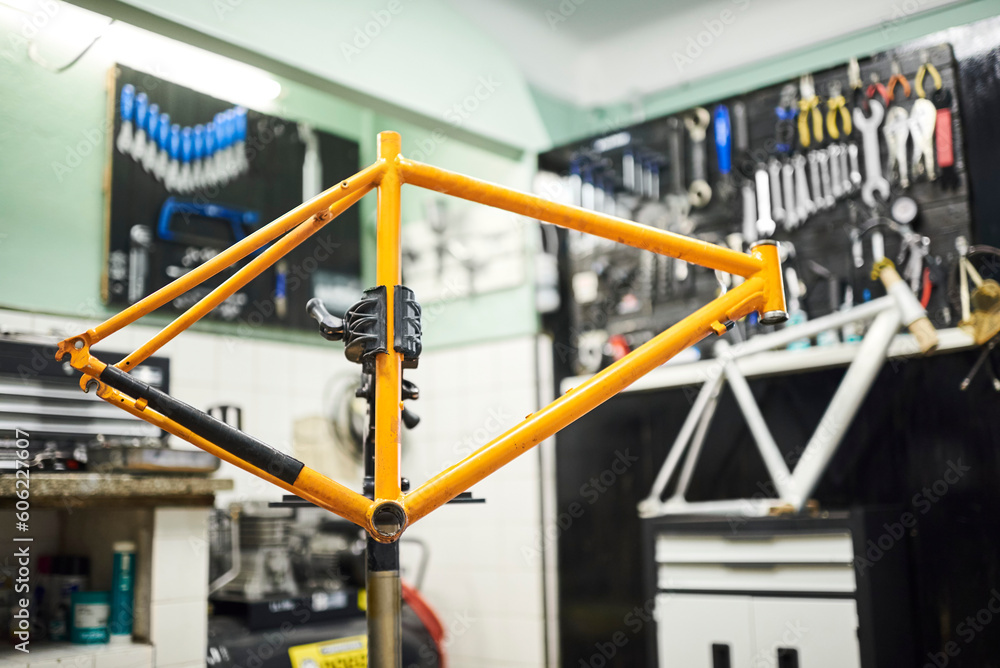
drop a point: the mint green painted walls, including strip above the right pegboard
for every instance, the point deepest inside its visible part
(53, 157)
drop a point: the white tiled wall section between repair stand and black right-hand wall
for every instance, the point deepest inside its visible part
(483, 578)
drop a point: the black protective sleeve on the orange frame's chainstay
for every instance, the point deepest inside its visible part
(230, 439)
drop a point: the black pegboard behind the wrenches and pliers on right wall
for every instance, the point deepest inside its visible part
(823, 239)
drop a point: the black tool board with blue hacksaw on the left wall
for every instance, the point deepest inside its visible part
(158, 231)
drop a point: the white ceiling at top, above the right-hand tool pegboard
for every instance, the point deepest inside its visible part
(601, 52)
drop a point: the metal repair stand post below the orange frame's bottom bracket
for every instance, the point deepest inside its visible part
(385, 605)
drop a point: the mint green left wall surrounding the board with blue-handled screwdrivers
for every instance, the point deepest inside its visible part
(53, 143)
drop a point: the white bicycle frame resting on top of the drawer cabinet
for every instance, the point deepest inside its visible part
(793, 487)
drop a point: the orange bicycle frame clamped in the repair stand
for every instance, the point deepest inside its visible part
(387, 515)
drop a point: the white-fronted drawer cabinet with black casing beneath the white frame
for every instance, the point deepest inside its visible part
(777, 593)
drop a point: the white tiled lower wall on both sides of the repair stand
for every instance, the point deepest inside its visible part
(484, 577)
